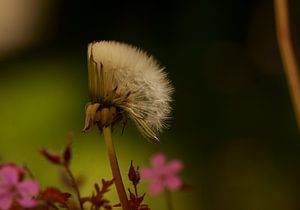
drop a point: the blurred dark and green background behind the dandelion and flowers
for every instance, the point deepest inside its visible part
(233, 124)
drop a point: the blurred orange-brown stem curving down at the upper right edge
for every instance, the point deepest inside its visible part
(288, 54)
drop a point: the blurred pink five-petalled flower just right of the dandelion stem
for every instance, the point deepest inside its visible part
(162, 175)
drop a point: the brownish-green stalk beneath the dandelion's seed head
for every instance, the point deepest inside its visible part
(115, 168)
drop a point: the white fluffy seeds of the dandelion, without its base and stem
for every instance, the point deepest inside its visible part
(124, 76)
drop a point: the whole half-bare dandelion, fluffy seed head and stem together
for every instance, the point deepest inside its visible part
(125, 82)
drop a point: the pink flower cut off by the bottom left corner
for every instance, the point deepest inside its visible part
(14, 189)
